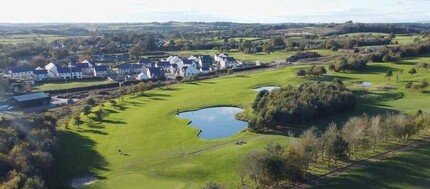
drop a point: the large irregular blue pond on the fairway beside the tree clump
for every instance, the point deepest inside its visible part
(216, 123)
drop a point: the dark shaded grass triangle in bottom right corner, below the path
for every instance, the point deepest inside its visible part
(409, 169)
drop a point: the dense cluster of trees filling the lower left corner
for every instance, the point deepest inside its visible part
(27, 148)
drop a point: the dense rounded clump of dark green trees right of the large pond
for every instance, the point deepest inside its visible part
(299, 104)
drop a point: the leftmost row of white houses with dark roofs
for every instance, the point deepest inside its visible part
(54, 71)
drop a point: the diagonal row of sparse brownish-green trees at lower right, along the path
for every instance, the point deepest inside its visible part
(279, 167)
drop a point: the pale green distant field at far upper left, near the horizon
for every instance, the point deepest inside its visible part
(14, 39)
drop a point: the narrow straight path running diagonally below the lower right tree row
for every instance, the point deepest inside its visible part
(359, 164)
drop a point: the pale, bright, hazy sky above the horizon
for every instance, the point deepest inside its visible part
(250, 11)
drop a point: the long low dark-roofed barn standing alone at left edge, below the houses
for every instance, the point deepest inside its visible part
(31, 100)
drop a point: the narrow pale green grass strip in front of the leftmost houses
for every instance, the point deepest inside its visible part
(68, 85)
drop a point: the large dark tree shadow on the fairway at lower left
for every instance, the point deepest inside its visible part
(76, 158)
